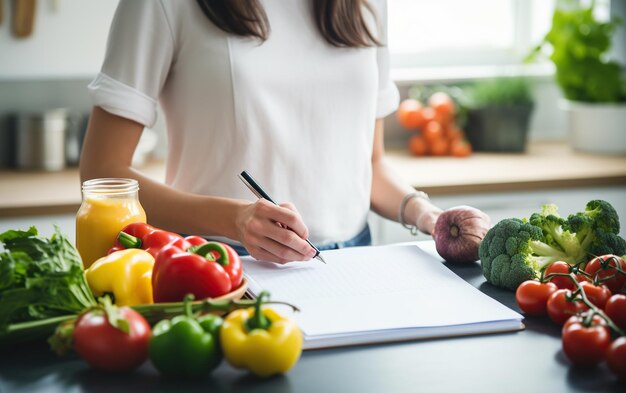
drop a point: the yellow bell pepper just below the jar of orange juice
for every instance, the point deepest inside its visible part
(127, 274)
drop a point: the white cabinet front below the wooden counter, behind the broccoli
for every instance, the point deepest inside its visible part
(506, 205)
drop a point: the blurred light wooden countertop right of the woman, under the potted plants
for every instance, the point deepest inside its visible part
(544, 165)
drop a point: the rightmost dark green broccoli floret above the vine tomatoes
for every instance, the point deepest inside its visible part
(597, 229)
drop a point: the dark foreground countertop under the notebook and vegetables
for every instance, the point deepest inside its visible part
(526, 361)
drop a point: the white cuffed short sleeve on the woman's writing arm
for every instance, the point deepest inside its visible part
(139, 53)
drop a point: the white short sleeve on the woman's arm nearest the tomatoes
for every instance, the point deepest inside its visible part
(388, 95)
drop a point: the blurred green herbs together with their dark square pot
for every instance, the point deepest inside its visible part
(498, 114)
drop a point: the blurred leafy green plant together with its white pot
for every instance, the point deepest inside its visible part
(593, 85)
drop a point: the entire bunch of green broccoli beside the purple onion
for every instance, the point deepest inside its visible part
(517, 250)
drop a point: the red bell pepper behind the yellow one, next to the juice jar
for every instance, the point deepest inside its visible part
(144, 236)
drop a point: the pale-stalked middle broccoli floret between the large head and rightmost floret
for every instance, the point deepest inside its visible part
(556, 232)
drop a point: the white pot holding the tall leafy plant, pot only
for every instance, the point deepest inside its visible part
(596, 128)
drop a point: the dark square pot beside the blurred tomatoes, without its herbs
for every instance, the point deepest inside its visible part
(498, 128)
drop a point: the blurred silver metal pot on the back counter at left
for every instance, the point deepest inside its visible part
(40, 140)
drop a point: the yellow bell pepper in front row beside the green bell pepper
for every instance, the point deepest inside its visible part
(260, 340)
